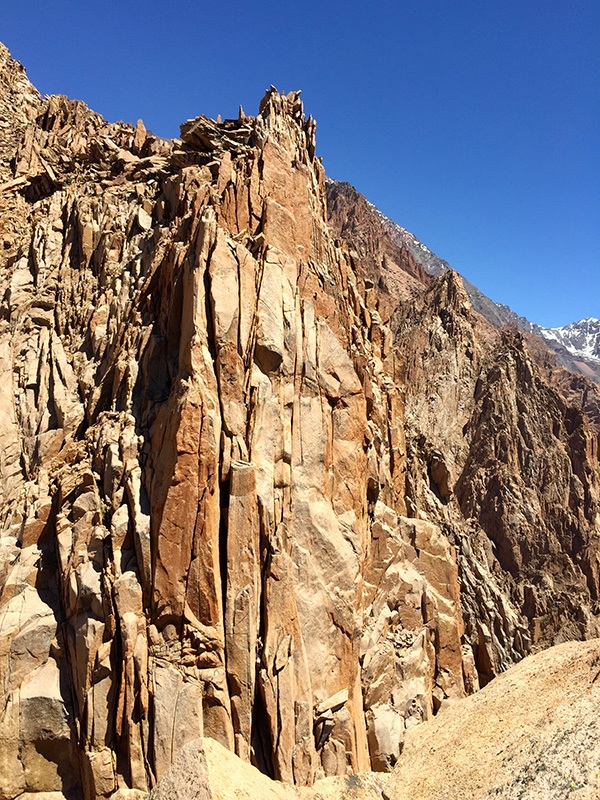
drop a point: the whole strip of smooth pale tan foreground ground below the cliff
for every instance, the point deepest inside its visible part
(532, 734)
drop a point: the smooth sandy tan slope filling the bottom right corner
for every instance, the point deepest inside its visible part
(534, 732)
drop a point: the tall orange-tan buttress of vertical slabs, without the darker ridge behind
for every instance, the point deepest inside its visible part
(198, 429)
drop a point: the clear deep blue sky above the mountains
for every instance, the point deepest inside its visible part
(475, 124)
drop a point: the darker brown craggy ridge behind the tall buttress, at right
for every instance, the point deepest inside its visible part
(501, 460)
